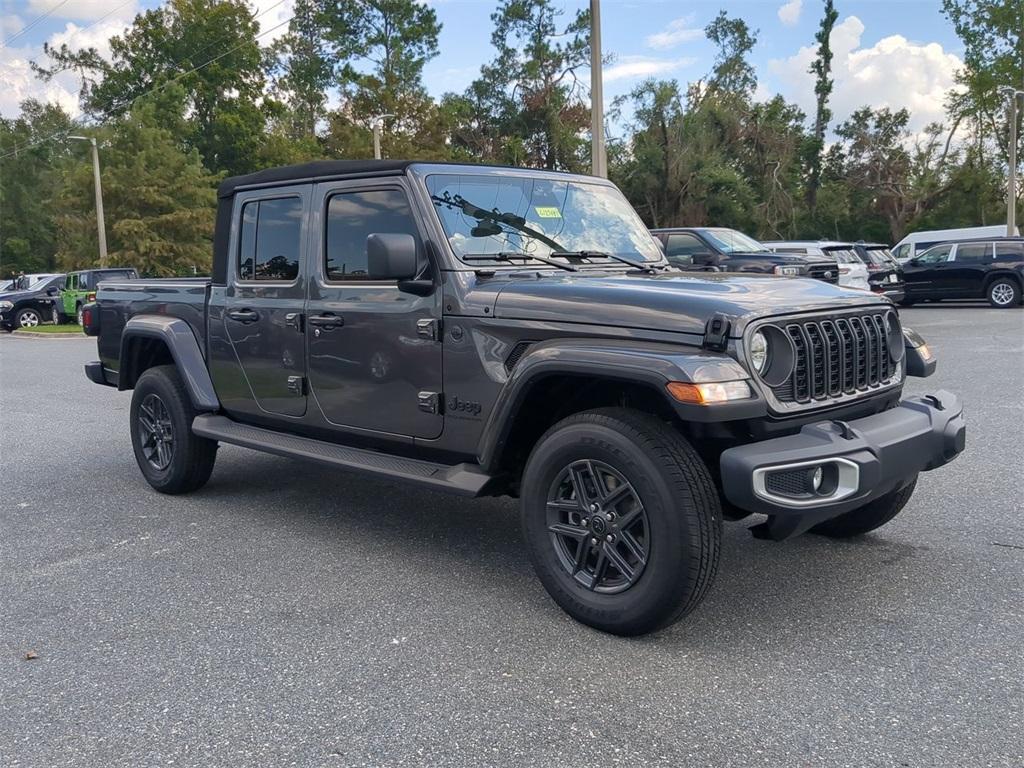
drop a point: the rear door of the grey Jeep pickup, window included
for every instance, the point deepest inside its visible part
(262, 310)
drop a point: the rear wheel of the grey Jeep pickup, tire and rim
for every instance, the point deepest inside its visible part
(173, 459)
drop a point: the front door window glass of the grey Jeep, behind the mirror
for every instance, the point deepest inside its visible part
(352, 218)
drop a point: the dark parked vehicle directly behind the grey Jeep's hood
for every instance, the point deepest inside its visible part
(720, 249)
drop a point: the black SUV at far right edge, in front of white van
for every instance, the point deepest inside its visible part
(986, 269)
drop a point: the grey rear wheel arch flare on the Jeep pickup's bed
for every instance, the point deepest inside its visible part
(154, 340)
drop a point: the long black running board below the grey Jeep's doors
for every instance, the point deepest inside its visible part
(464, 480)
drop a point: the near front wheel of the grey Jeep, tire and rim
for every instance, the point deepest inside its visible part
(622, 521)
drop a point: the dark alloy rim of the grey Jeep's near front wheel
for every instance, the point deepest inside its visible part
(599, 527)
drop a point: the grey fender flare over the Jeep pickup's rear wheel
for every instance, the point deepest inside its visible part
(185, 350)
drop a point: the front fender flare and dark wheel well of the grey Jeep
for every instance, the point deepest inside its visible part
(561, 378)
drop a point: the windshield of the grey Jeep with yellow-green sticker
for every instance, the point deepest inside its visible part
(537, 217)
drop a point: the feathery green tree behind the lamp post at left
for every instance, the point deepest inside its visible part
(159, 202)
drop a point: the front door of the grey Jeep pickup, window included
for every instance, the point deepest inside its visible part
(375, 355)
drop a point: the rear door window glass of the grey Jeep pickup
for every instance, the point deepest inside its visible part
(272, 232)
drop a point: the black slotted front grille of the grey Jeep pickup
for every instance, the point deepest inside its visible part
(837, 357)
